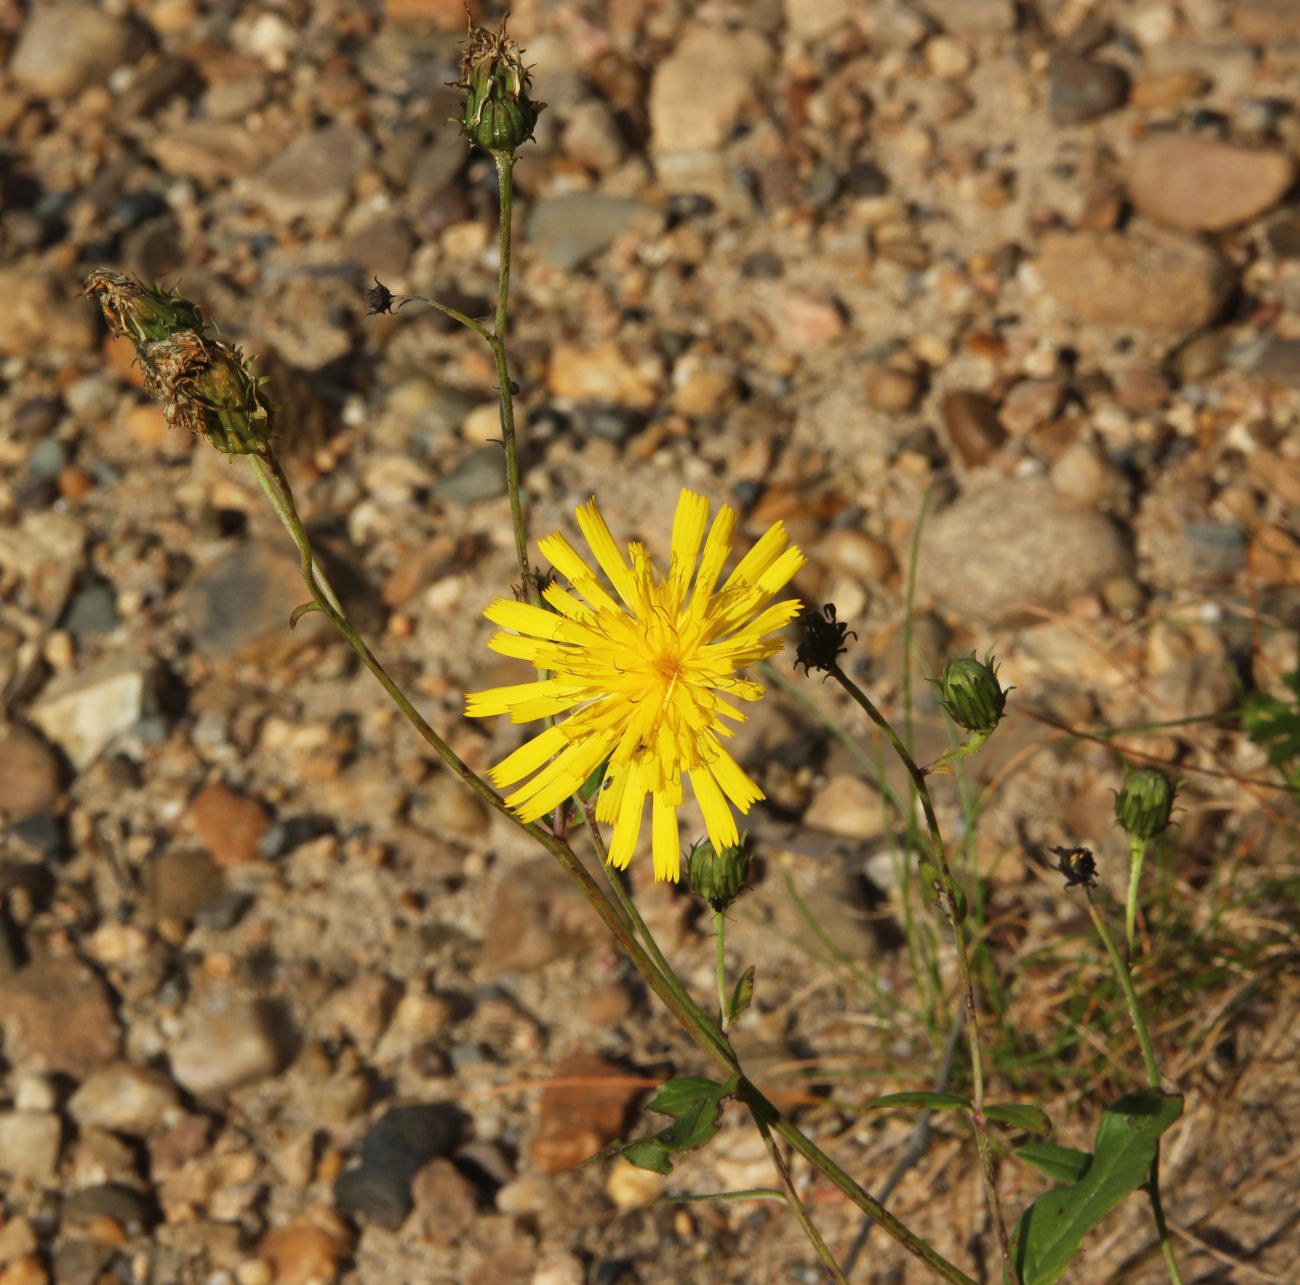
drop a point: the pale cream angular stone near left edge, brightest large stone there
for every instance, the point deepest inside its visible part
(84, 713)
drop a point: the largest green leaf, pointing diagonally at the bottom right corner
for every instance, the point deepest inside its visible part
(1052, 1230)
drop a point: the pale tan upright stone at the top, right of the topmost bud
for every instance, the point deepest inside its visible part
(699, 96)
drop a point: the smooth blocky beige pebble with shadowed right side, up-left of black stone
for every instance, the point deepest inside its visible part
(226, 1049)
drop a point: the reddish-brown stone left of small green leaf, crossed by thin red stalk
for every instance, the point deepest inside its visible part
(577, 1120)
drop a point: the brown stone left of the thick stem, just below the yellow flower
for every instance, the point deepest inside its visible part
(538, 915)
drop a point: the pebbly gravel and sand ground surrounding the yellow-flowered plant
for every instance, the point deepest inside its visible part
(279, 1001)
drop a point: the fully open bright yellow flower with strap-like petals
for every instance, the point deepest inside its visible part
(649, 680)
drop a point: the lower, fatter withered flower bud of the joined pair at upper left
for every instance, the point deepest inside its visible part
(210, 388)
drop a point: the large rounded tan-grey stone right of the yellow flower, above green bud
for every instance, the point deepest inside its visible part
(1013, 546)
